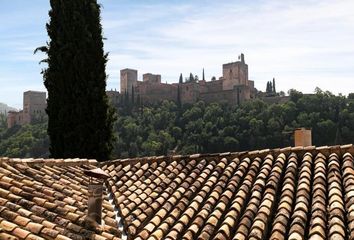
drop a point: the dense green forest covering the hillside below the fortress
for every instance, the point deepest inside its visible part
(191, 128)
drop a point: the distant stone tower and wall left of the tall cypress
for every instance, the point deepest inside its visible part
(34, 105)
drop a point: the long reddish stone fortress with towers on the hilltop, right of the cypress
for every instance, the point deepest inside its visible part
(233, 87)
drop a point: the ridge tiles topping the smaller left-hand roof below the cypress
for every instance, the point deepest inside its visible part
(49, 162)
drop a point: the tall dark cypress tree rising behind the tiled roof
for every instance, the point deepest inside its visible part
(80, 119)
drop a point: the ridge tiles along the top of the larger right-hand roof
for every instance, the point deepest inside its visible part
(326, 150)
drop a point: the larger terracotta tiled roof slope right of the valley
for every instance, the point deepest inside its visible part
(290, 193)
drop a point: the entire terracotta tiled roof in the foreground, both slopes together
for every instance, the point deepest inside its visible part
(289, 193)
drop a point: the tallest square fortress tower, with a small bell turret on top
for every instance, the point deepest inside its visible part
(235, 74)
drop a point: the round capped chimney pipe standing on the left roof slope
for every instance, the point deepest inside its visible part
(95, 191)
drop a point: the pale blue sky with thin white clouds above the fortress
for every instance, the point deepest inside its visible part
(303, 44)
